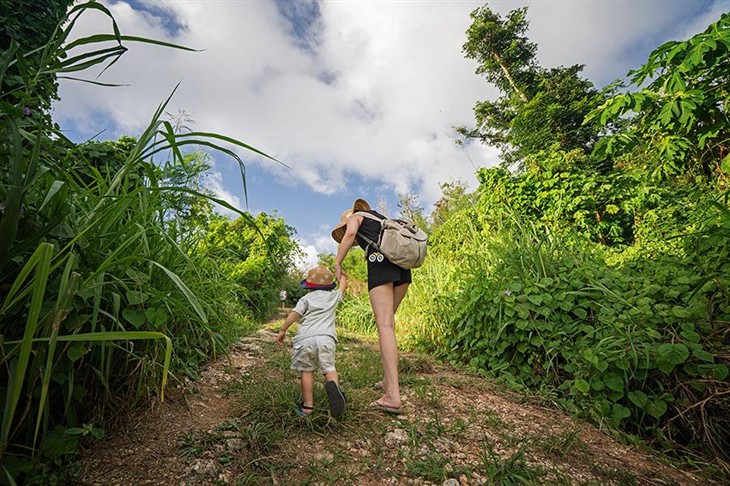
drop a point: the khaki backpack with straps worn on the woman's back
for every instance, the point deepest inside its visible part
(399, 241)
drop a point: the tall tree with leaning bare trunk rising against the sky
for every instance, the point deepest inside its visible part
(539, 107)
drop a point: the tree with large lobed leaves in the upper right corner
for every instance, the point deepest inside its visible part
(679, 120)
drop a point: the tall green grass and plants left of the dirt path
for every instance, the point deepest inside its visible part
(99, 302)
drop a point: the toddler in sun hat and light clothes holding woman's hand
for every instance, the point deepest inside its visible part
(313, 346)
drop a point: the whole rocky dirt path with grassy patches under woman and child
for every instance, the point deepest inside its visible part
(459, 429)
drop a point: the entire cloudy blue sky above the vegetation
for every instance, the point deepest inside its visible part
(359, 98)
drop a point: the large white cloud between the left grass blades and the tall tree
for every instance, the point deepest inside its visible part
(395, 87)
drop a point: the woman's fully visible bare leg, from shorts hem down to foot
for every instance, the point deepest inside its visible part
(382, 301)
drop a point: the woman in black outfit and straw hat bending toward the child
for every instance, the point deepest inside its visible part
(387, 285)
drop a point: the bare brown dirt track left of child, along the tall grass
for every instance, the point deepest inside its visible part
(148, 451)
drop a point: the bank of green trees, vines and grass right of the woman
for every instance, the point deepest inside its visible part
(597, 278)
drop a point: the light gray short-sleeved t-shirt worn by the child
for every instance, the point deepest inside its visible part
(317, 309)
